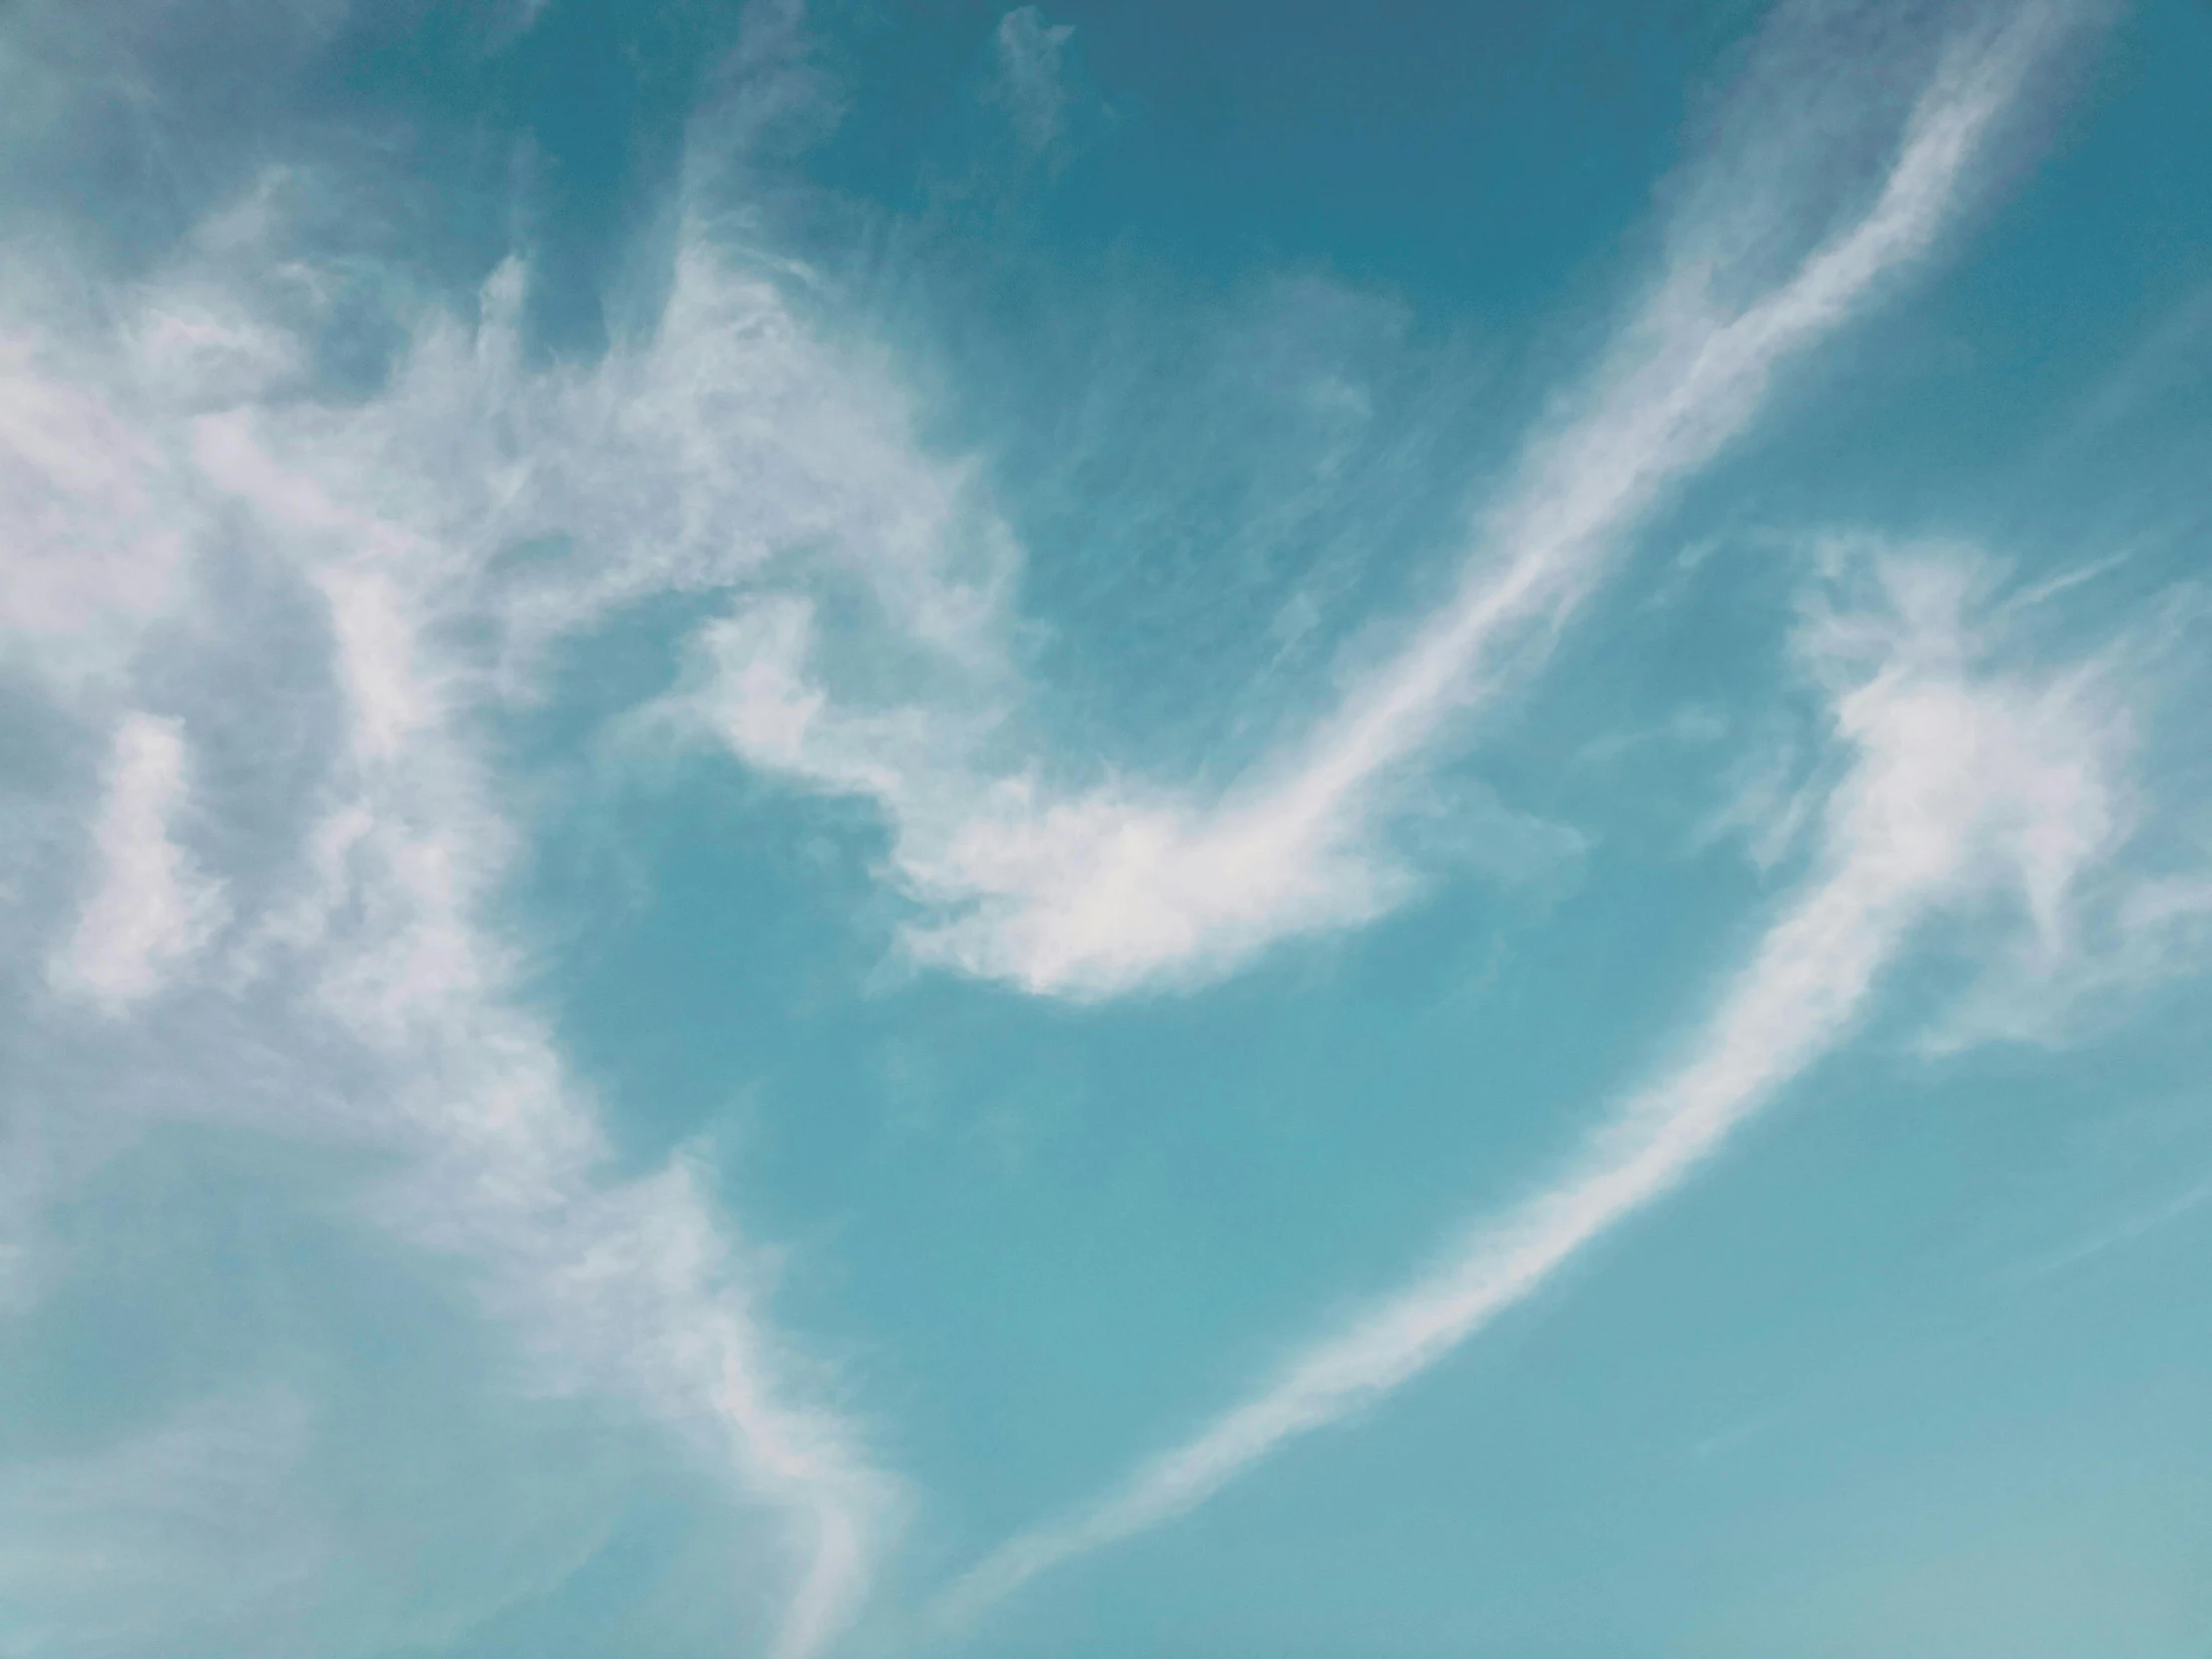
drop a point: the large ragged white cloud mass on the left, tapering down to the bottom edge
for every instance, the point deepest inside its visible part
(368, 968)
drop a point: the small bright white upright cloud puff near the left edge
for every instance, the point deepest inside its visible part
(154, 908)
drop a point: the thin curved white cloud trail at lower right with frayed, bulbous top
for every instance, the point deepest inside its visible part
(1961, 782)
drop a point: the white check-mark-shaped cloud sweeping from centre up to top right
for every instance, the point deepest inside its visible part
(1089, 893)
